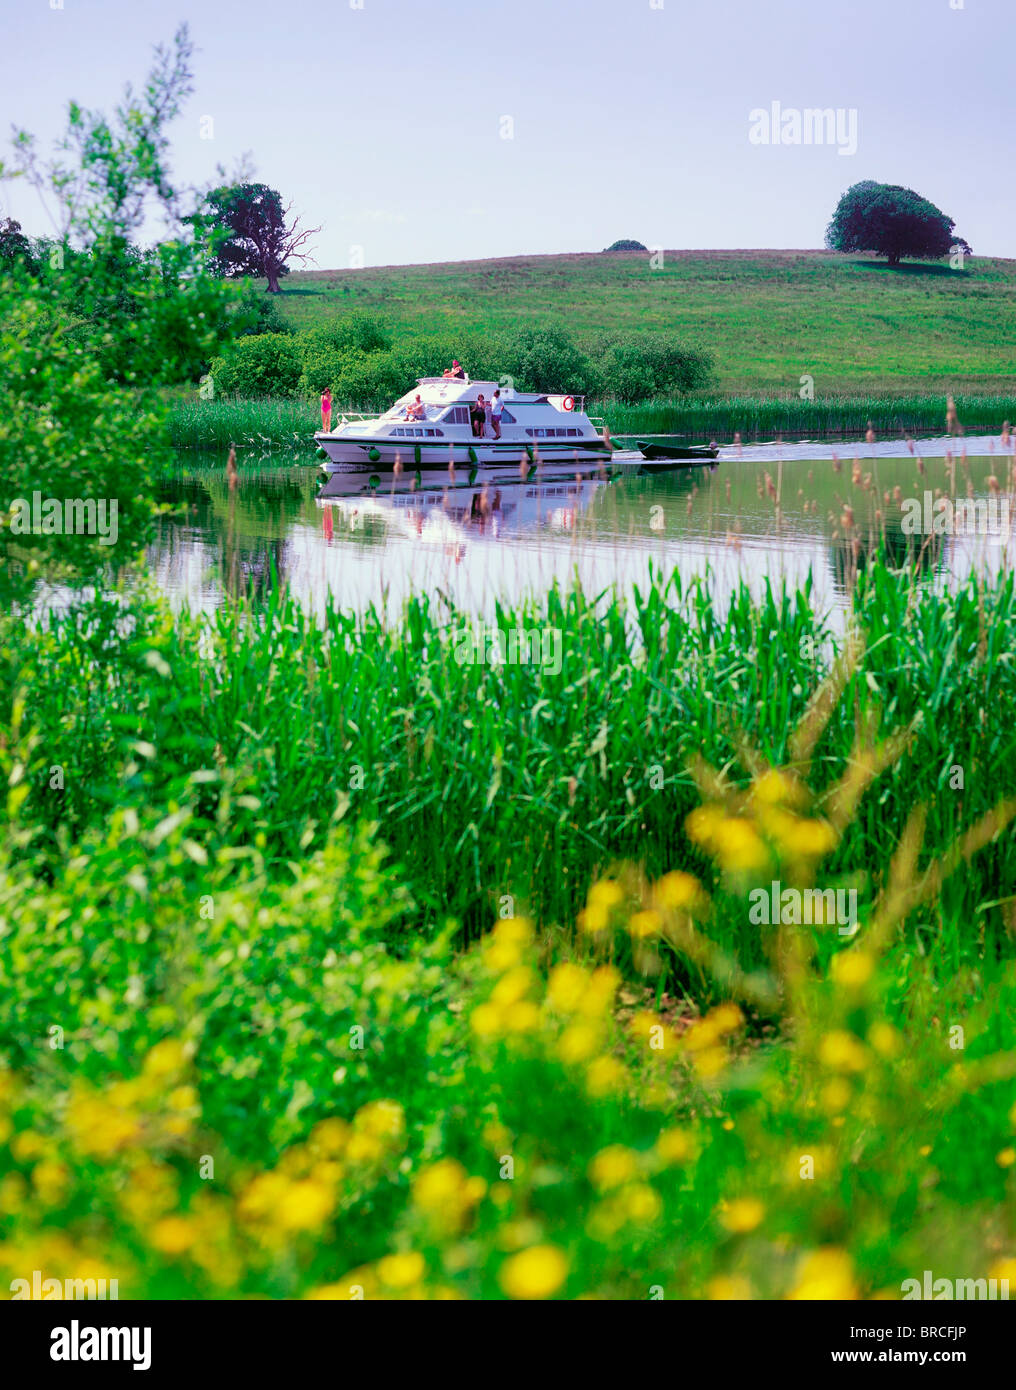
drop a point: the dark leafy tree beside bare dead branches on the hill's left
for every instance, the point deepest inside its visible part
(254, 233)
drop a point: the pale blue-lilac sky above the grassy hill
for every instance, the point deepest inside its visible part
(418, 131)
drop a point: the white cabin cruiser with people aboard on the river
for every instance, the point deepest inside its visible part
(533, 425)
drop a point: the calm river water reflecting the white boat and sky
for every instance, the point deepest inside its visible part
(762, 512)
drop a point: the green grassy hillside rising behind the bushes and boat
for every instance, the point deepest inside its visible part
(851, 323)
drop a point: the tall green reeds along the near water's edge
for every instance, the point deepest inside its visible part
(476, 806)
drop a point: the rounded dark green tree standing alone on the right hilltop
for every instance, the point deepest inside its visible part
(892, 222)
